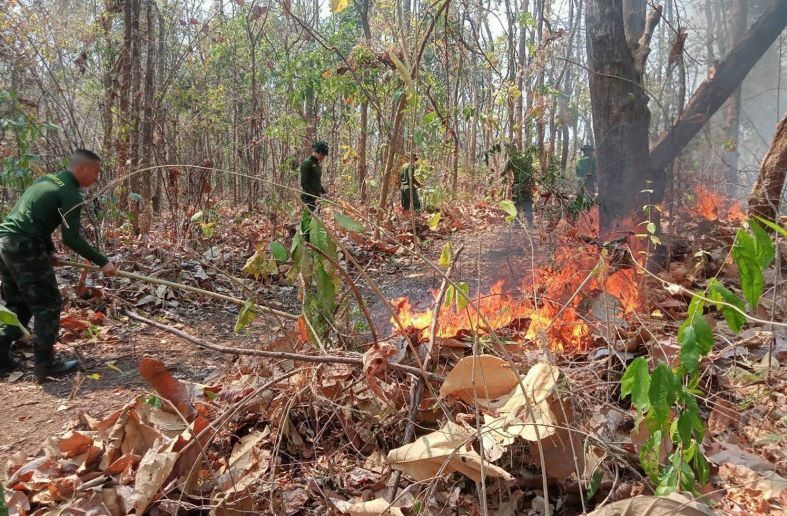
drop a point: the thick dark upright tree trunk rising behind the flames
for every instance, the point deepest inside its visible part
(621, 117)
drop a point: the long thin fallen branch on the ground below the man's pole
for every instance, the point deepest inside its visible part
(349, 359)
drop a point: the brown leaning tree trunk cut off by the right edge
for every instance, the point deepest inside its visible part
(767, 193)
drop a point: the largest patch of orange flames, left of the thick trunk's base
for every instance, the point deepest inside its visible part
(552, 308)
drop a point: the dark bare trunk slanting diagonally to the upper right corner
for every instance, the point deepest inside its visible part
(712, 93)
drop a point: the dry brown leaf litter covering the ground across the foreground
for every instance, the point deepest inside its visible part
(321, 441)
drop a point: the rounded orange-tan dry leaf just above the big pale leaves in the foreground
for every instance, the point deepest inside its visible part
(483, 378)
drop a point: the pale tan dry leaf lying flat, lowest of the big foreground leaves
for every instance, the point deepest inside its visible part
(443, 452)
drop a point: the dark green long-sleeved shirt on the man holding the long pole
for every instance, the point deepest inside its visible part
(52, 201)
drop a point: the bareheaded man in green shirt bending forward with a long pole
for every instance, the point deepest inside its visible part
(27, 256)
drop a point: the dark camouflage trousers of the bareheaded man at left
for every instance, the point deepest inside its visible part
(29, 289)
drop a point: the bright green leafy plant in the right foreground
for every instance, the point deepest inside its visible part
(666, 398)
